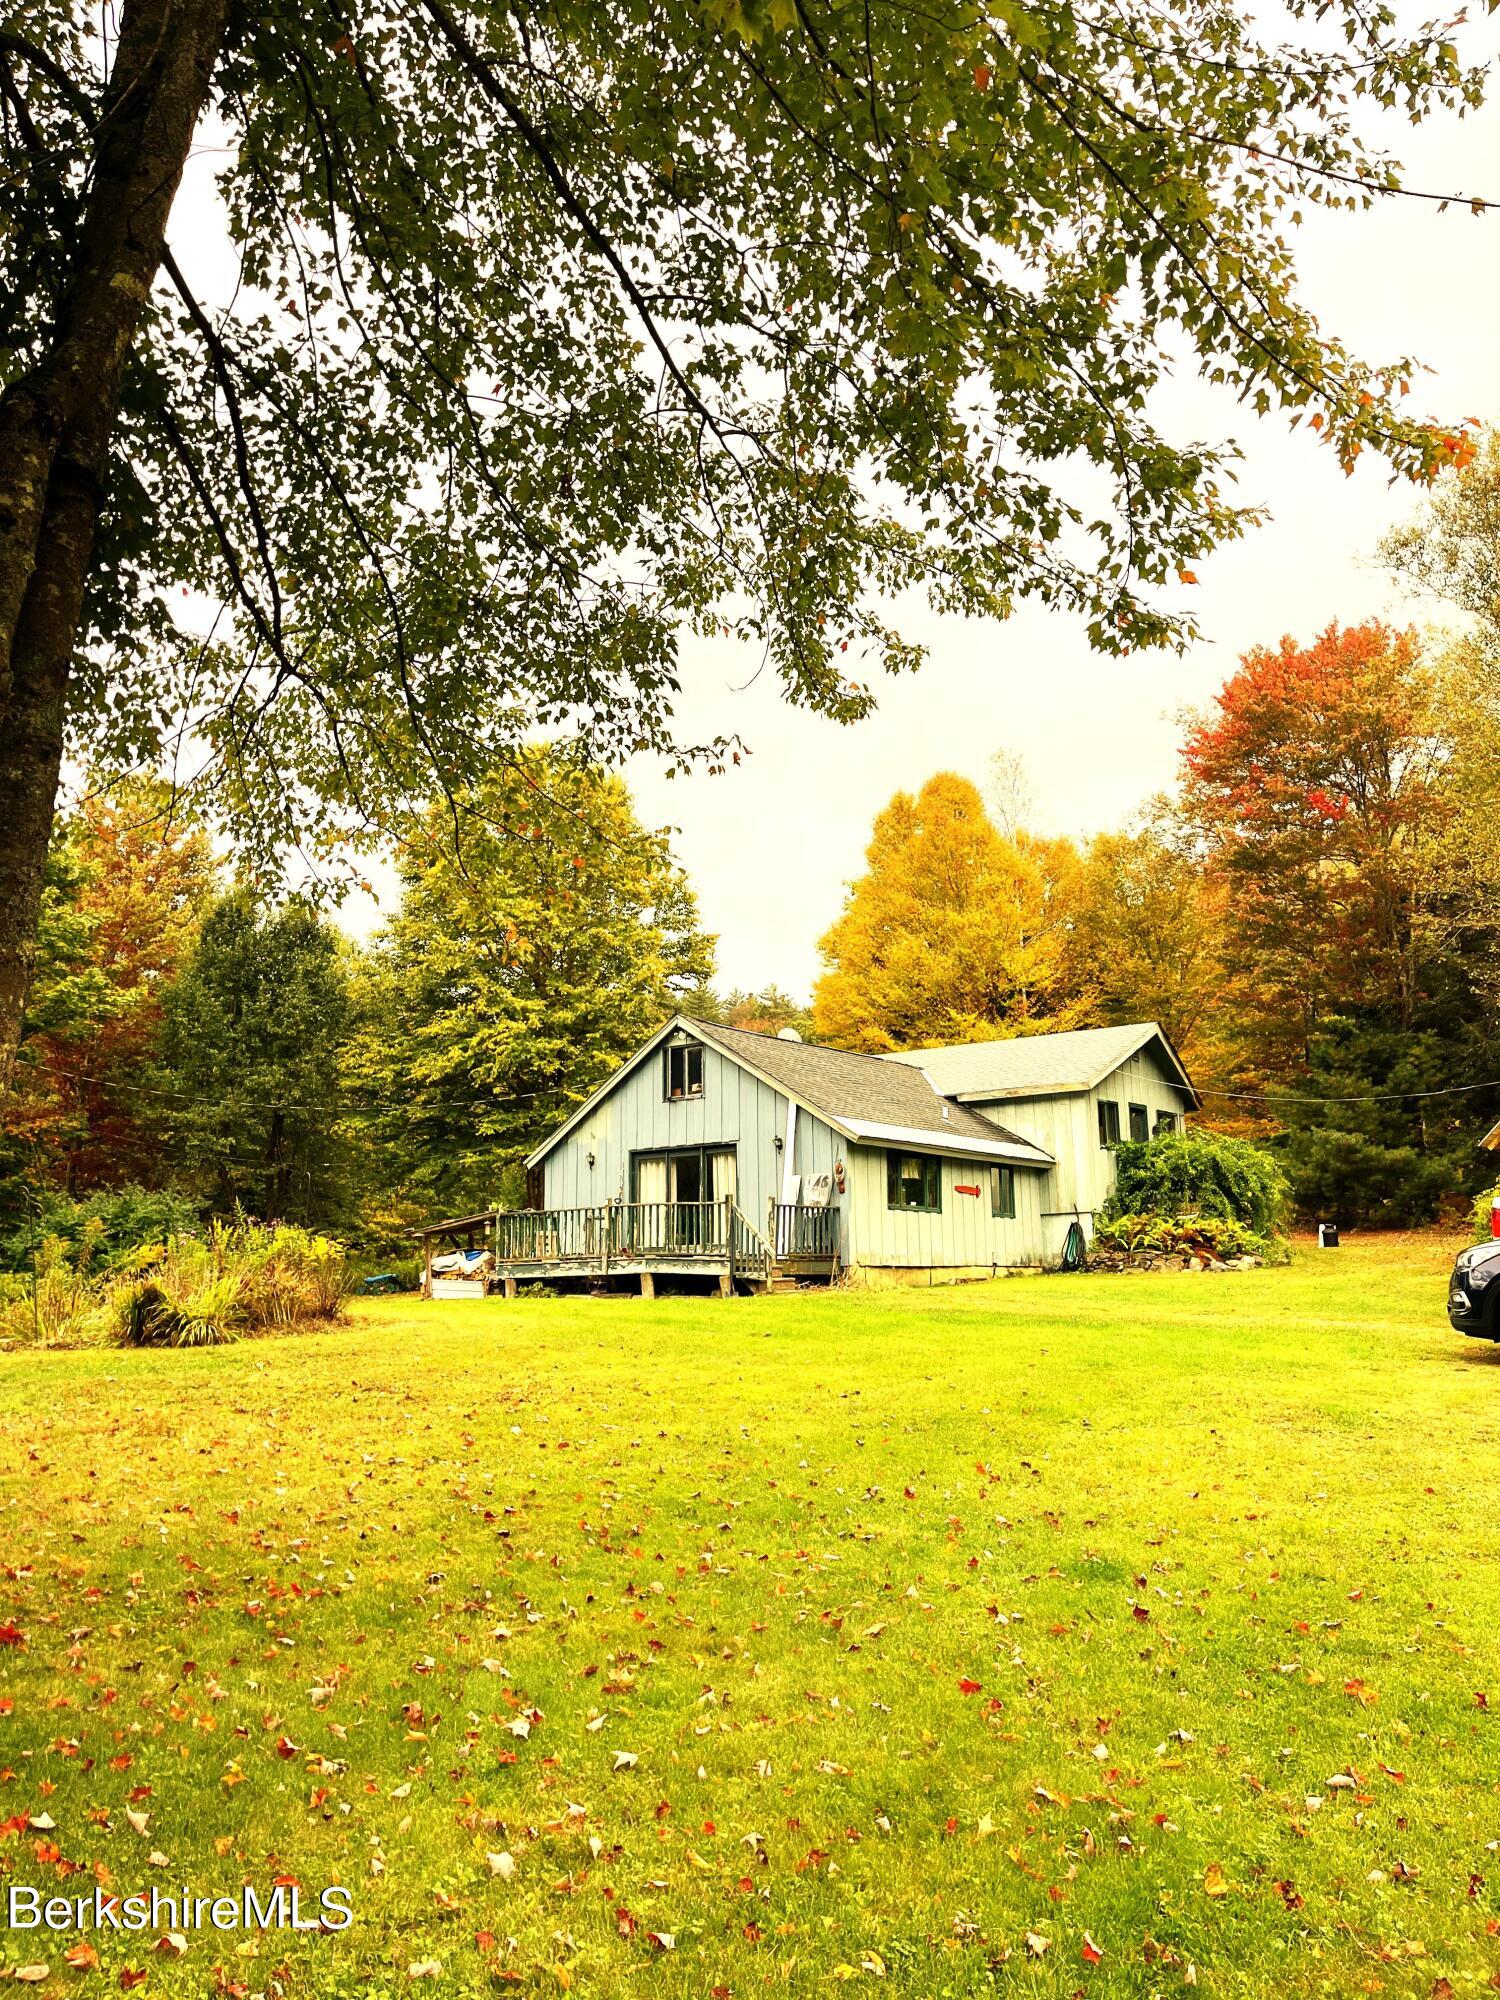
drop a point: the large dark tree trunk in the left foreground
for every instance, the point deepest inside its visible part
(55, 439)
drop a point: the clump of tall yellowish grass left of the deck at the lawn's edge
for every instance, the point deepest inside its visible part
(185, 1293)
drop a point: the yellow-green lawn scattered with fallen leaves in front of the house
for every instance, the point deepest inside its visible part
(1157, 1613)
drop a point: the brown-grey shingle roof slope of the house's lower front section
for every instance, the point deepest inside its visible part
(861, 1091)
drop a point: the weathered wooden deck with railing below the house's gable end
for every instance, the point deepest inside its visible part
(641, 1241)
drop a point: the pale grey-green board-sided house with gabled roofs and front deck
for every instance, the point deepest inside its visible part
(751, 1157)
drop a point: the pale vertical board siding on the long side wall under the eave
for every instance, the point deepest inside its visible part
(961, 1237)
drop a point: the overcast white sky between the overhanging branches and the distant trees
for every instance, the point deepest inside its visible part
(773, 843)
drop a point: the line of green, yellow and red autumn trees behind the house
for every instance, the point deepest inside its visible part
(1311, 915)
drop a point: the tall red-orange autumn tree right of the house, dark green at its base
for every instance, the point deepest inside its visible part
(1323, 789)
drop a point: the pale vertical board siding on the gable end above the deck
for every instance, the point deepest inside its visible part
(735, 1111)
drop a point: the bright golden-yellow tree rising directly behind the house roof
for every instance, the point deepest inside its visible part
(953, 935)
